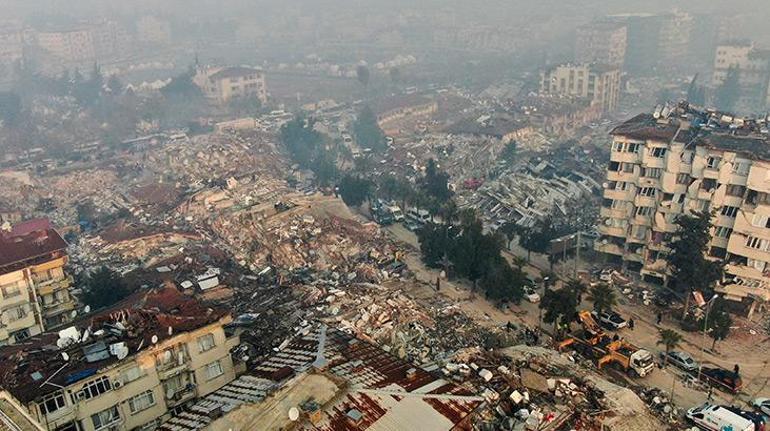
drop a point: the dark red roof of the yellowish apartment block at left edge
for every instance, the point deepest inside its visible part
(28, 243)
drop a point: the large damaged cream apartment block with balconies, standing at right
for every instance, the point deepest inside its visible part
(678, 160)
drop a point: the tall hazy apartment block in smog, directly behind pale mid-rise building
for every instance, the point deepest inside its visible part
(601, 42)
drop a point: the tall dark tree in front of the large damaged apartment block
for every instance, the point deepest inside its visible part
(690, 270)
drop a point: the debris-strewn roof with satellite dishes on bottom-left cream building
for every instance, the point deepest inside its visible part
(37, 365)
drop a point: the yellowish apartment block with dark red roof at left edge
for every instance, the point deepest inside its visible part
(34, 288)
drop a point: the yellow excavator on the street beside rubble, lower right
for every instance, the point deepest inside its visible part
(593, 343)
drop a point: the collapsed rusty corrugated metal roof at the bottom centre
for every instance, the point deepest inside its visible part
(383, 391)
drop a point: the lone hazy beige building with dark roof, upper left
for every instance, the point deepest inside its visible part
(223, 84)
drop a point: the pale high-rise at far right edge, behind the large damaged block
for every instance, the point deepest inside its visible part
(753, 68)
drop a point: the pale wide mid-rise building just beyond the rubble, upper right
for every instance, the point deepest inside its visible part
(598, 83)
